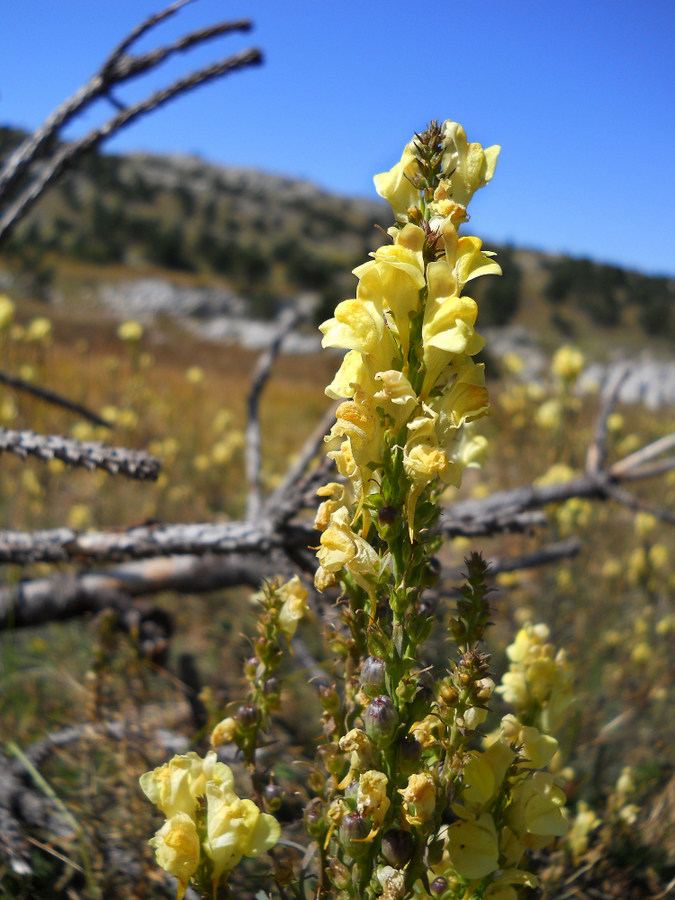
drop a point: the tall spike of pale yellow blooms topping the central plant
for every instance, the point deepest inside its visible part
(408, 380)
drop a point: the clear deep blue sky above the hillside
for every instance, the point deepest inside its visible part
(579, 94)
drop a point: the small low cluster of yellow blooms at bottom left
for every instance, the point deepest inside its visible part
(208, 827)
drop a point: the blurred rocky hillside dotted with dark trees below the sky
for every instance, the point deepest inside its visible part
(173, 235)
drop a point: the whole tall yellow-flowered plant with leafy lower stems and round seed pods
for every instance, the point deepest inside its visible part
(400, 745)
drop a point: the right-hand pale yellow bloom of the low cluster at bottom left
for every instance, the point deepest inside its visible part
(235, 828)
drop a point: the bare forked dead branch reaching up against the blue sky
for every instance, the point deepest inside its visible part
(119, 67)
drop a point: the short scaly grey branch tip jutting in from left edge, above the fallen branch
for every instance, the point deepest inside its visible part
(87, 454)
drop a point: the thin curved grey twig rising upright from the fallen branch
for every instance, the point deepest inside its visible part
(288, 320)
